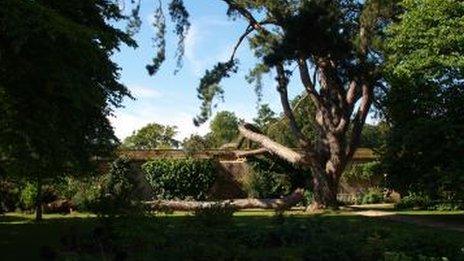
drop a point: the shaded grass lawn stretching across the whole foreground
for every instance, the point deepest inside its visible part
(250, 235)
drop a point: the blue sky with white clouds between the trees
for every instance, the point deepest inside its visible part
(171, 99)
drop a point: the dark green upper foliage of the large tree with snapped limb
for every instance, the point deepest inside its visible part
(305, 29)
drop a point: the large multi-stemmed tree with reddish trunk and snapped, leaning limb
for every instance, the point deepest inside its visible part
(332, 45)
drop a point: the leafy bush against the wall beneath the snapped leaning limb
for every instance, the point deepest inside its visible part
(272, 177)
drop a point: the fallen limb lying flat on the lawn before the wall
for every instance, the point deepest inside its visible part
(278, 204)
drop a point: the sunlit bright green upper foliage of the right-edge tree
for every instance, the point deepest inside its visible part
(427, 42)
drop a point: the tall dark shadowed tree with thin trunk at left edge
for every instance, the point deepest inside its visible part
(58, 85)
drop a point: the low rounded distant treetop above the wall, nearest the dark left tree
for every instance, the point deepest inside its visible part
(152, 136)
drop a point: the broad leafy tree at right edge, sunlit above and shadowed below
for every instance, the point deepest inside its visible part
(425, 69)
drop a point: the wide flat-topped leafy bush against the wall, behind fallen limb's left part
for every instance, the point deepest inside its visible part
(180, 178)
